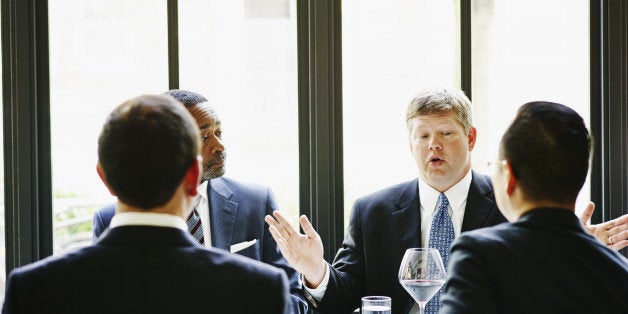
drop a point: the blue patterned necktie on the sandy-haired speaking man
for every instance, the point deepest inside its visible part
(441, 237)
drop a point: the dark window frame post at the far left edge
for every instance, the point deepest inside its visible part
(26, 116)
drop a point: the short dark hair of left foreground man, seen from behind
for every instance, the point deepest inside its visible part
(146, 146)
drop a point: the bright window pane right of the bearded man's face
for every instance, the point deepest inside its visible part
(241, 55)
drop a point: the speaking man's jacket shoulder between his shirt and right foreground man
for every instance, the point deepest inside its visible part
(479, 203)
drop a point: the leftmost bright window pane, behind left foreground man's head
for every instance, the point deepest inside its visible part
(101, 54)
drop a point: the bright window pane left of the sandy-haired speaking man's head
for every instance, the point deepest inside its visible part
(390, 52)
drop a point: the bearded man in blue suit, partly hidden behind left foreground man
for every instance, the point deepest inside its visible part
(231, 212)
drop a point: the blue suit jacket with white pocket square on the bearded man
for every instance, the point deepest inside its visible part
(237, 213)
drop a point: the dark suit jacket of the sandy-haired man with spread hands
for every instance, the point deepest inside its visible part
(382, 226)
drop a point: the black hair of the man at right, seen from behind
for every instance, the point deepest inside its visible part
(548, 147)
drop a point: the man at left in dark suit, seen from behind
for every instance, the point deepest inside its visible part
(147, 262)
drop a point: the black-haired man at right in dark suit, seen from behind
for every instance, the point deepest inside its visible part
(544, 261)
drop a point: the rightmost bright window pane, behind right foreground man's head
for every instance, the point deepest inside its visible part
(523, 51)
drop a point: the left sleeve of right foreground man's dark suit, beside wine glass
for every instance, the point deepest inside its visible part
(469, 287)
